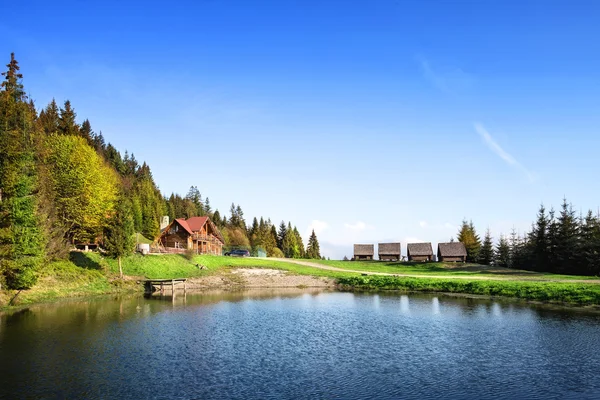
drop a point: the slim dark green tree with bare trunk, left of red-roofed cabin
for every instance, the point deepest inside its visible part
(119, 233)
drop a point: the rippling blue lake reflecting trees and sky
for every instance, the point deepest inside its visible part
(299, 344)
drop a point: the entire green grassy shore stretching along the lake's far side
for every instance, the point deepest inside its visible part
(87, 274)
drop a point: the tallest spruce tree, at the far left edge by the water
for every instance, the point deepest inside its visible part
(21, 237)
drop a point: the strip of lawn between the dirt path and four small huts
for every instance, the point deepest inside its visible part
(447, 269)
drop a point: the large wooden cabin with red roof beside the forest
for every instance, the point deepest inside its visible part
(196, 233)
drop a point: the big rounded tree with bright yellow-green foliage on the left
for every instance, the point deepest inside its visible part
(85, 188)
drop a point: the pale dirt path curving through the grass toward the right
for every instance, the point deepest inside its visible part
(487, 278)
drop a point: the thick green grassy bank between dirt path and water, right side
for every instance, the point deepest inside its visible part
(553, 292)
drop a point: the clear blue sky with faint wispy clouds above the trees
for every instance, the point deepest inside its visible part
(369, 122)
